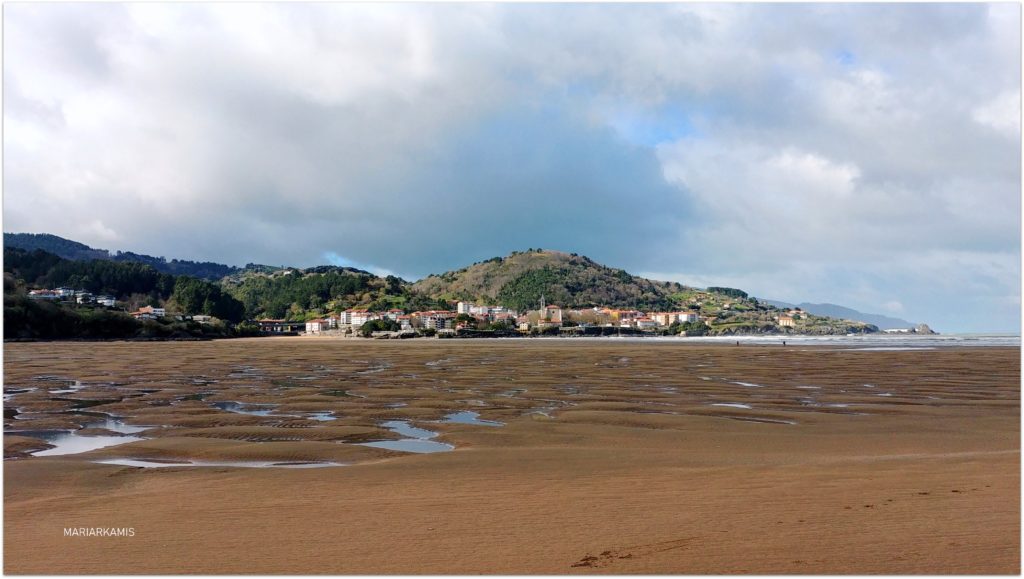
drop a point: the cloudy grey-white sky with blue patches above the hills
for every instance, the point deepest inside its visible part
(867, 155)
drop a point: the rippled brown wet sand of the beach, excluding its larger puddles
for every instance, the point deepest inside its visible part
(614, 458)
